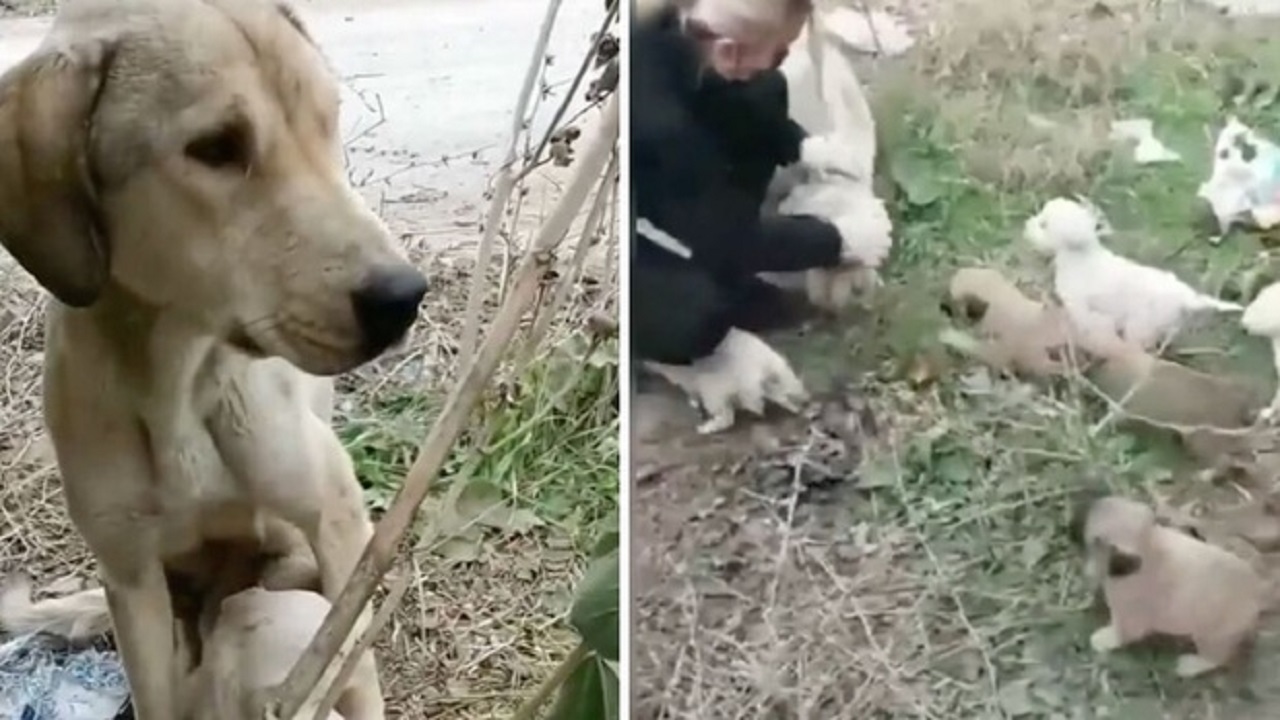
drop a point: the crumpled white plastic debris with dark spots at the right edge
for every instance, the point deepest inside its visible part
(1245, 188)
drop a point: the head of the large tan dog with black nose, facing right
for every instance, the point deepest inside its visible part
(188, 154)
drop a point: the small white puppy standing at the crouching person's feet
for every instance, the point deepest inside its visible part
(744, 372)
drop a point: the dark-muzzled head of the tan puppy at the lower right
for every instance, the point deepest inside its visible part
(1117, 534)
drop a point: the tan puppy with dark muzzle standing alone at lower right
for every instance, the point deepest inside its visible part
(1162, 581)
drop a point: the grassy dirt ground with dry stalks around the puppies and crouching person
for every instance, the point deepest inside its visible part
(903, 550)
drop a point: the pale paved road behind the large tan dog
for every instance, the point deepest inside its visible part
(445, 75)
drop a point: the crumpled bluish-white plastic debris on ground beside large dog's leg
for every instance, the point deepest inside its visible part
(43, 680)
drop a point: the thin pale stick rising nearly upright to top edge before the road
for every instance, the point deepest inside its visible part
(502, 192)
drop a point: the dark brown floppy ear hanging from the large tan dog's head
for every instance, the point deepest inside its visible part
(49, 218)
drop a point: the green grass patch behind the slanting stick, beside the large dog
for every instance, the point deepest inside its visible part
(548, 439)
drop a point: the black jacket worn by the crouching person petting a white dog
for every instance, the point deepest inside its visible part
(703, 152)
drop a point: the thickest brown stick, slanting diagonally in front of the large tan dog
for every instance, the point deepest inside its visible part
(436, 449)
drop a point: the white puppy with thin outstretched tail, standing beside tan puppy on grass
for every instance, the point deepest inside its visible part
(1105, 293)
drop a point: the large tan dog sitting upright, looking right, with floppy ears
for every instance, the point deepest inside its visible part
(173, 175)
